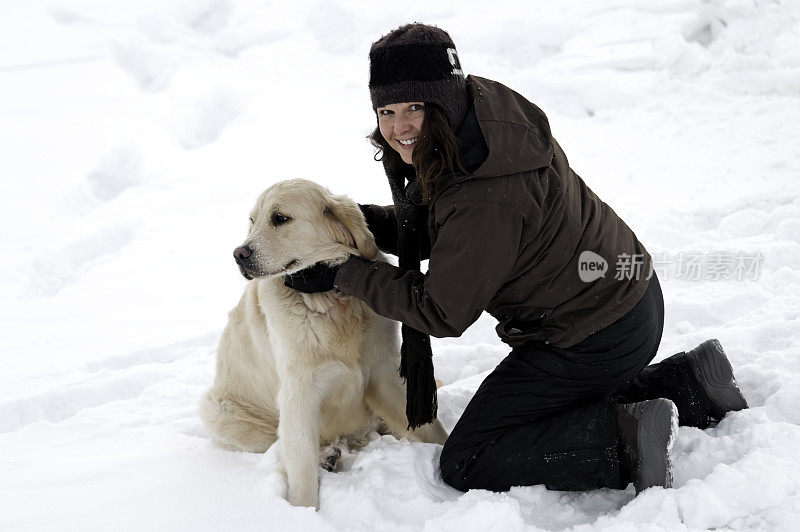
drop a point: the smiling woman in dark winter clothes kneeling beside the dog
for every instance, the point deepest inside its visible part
(482, 189)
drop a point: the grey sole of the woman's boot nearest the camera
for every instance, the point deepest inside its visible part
(658, 426)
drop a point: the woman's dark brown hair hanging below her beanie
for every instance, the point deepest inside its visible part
(436, 152)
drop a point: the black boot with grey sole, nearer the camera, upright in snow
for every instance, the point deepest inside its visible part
(647, 431)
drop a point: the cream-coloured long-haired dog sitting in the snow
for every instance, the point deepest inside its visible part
(305, 368)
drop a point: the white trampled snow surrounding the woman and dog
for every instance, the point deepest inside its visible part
(136, 135)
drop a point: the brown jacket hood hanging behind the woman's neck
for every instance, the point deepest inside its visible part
(516, 131)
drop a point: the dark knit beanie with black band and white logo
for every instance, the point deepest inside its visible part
(418, 63)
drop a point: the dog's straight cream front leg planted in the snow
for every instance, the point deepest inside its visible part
(298, 432)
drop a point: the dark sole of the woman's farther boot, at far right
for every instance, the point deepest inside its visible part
(716, 376)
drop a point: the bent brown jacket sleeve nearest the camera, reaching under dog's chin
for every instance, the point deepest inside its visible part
(473, 256)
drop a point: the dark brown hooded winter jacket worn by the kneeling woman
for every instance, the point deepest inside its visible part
(511, 239)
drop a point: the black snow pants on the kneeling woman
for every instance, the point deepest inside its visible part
(548, 416)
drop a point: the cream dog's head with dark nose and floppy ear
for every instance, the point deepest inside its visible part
(297, 223)
